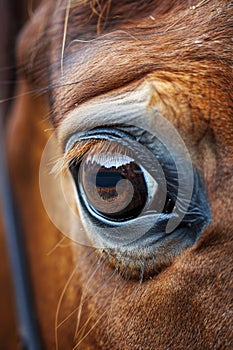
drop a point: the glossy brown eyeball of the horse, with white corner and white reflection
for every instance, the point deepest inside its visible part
(114, 185)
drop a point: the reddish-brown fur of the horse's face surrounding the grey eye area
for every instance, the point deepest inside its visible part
(184, 50)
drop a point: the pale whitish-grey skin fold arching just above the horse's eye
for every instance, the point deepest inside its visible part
(123, 108)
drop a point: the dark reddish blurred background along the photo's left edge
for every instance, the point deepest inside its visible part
(13, 15)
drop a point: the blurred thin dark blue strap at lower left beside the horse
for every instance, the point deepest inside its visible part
(28, 328)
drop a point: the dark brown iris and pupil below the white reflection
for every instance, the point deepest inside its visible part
(111, 197)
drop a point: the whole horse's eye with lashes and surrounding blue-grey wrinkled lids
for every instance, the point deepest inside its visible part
(139, 200)
